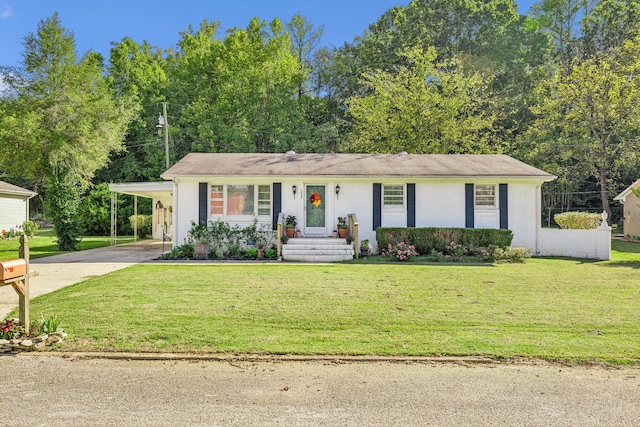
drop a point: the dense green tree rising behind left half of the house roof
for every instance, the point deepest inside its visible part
(246, 84)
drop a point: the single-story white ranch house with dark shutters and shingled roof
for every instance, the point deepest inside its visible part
(400, 190)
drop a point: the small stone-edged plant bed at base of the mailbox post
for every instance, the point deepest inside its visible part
(43, 333)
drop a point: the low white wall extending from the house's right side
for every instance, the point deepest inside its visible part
(595, 243)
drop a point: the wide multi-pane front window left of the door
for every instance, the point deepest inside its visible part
(240, 200)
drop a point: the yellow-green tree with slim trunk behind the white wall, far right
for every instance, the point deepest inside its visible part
(593, 113)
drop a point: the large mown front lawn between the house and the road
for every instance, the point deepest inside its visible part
(555, 309)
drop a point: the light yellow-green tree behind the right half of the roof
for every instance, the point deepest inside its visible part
(422, 108)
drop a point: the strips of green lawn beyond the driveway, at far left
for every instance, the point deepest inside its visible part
(44, 245)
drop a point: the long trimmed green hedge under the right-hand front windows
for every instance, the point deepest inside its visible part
(427, 239)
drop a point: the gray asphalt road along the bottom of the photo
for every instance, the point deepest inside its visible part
(41, 390)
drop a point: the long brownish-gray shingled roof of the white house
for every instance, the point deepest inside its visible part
(354, 165)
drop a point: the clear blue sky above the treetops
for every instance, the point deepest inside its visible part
(97, 24)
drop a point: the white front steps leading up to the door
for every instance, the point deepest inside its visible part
(317, 249)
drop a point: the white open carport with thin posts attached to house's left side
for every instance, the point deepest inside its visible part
(161, 194)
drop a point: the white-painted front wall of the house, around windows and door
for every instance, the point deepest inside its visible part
(439, 203)
